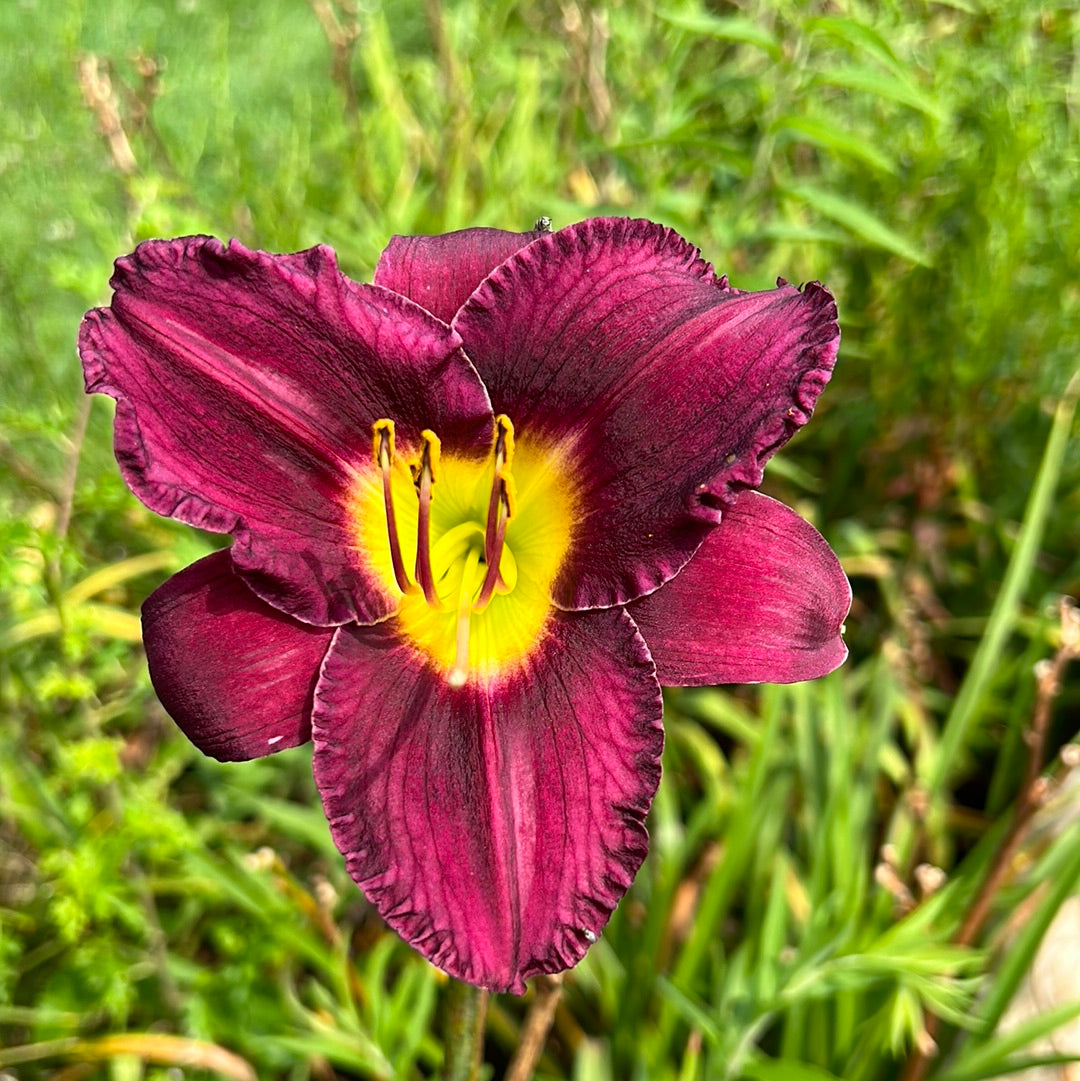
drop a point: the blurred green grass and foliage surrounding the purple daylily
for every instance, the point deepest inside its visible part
(844, 876)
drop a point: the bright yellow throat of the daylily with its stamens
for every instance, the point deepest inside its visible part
(472, 548)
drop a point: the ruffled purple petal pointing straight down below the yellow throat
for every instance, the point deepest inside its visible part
(495, 828)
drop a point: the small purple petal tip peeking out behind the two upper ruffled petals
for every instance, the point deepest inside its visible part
(441, 273)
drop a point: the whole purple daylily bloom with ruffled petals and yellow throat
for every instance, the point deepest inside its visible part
(481, 512)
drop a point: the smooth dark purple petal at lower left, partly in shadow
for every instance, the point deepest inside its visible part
(235, 674)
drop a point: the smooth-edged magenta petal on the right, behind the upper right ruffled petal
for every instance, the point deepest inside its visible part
(764, 600)
